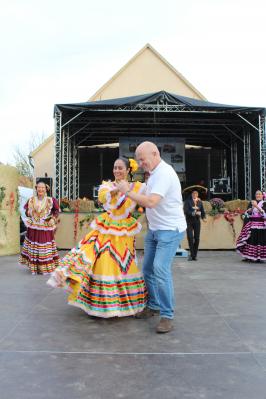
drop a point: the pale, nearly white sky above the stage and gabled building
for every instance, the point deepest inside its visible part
(63, 51)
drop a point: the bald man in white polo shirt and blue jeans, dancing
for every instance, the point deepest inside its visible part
(166, 228)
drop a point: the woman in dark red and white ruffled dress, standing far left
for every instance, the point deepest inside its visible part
(39, 250)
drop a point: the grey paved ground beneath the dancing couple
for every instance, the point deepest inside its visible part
(217, 349)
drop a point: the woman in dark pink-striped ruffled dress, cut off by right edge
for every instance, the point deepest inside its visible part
(251, 243)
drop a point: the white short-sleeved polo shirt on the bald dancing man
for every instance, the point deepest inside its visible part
(168, 214)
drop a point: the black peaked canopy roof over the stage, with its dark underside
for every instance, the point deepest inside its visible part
(156, 114)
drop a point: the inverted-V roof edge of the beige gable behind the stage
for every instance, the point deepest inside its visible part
(133, 60)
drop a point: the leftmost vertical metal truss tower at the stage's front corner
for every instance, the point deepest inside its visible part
(57, 159)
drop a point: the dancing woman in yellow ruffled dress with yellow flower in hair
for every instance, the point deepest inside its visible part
(101, 273)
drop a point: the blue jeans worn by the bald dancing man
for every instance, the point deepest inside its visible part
(159, 250)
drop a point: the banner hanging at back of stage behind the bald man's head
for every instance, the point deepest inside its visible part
(172, 150)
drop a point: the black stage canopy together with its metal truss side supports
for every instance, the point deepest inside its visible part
(238, 130)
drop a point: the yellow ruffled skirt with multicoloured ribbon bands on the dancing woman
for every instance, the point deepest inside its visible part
(103, 277)
